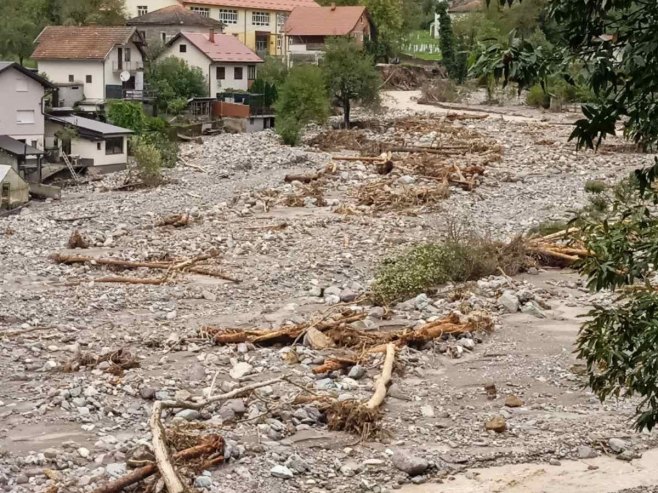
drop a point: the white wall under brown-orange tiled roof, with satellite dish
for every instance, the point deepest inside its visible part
(58, 71)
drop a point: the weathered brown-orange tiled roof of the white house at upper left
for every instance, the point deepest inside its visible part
(80, 43)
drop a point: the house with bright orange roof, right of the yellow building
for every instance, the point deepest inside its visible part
(307, 28)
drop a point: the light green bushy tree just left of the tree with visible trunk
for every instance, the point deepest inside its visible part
(302, 99)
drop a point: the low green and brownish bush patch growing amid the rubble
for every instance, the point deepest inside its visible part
(429, 265)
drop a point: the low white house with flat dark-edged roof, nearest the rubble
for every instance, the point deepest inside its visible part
(92, 144)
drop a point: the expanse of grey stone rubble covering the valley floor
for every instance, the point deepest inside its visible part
(293, 263)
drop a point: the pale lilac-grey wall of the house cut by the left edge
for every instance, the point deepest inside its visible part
(13, 100)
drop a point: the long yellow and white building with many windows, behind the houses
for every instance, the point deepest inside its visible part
(257, 23)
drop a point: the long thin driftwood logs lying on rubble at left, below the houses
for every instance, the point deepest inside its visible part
(196, 265)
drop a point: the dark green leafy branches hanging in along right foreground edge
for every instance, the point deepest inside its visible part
(616, 40)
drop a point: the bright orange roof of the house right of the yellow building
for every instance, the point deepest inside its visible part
(323, 21)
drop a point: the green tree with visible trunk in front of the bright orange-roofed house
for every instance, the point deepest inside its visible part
(350, 75)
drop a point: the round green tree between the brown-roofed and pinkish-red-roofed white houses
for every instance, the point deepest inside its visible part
(173, 79)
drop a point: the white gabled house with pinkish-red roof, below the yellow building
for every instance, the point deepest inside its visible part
(227, 63)
